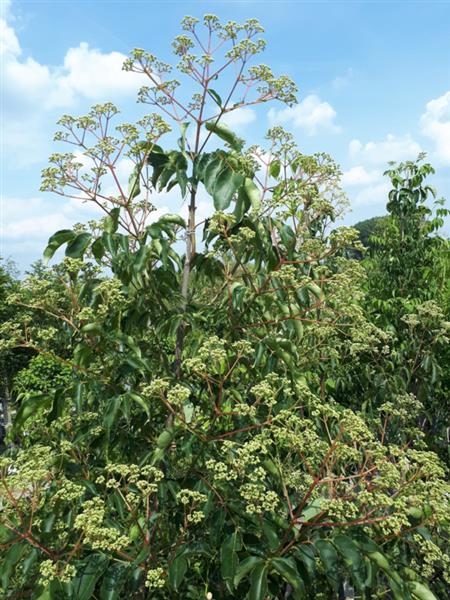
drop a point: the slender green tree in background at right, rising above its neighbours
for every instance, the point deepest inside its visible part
(408, 296)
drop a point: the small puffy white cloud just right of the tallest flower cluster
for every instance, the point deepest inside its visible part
(312, 115)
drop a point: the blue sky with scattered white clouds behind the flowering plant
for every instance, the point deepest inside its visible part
(373, 78)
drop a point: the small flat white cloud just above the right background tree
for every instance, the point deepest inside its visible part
(392, 148)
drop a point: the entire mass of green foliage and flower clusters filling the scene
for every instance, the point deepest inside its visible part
(260, 417)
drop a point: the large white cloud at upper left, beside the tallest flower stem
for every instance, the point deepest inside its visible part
(32, 91)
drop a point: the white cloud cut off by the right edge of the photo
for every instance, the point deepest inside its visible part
(435, 124)
